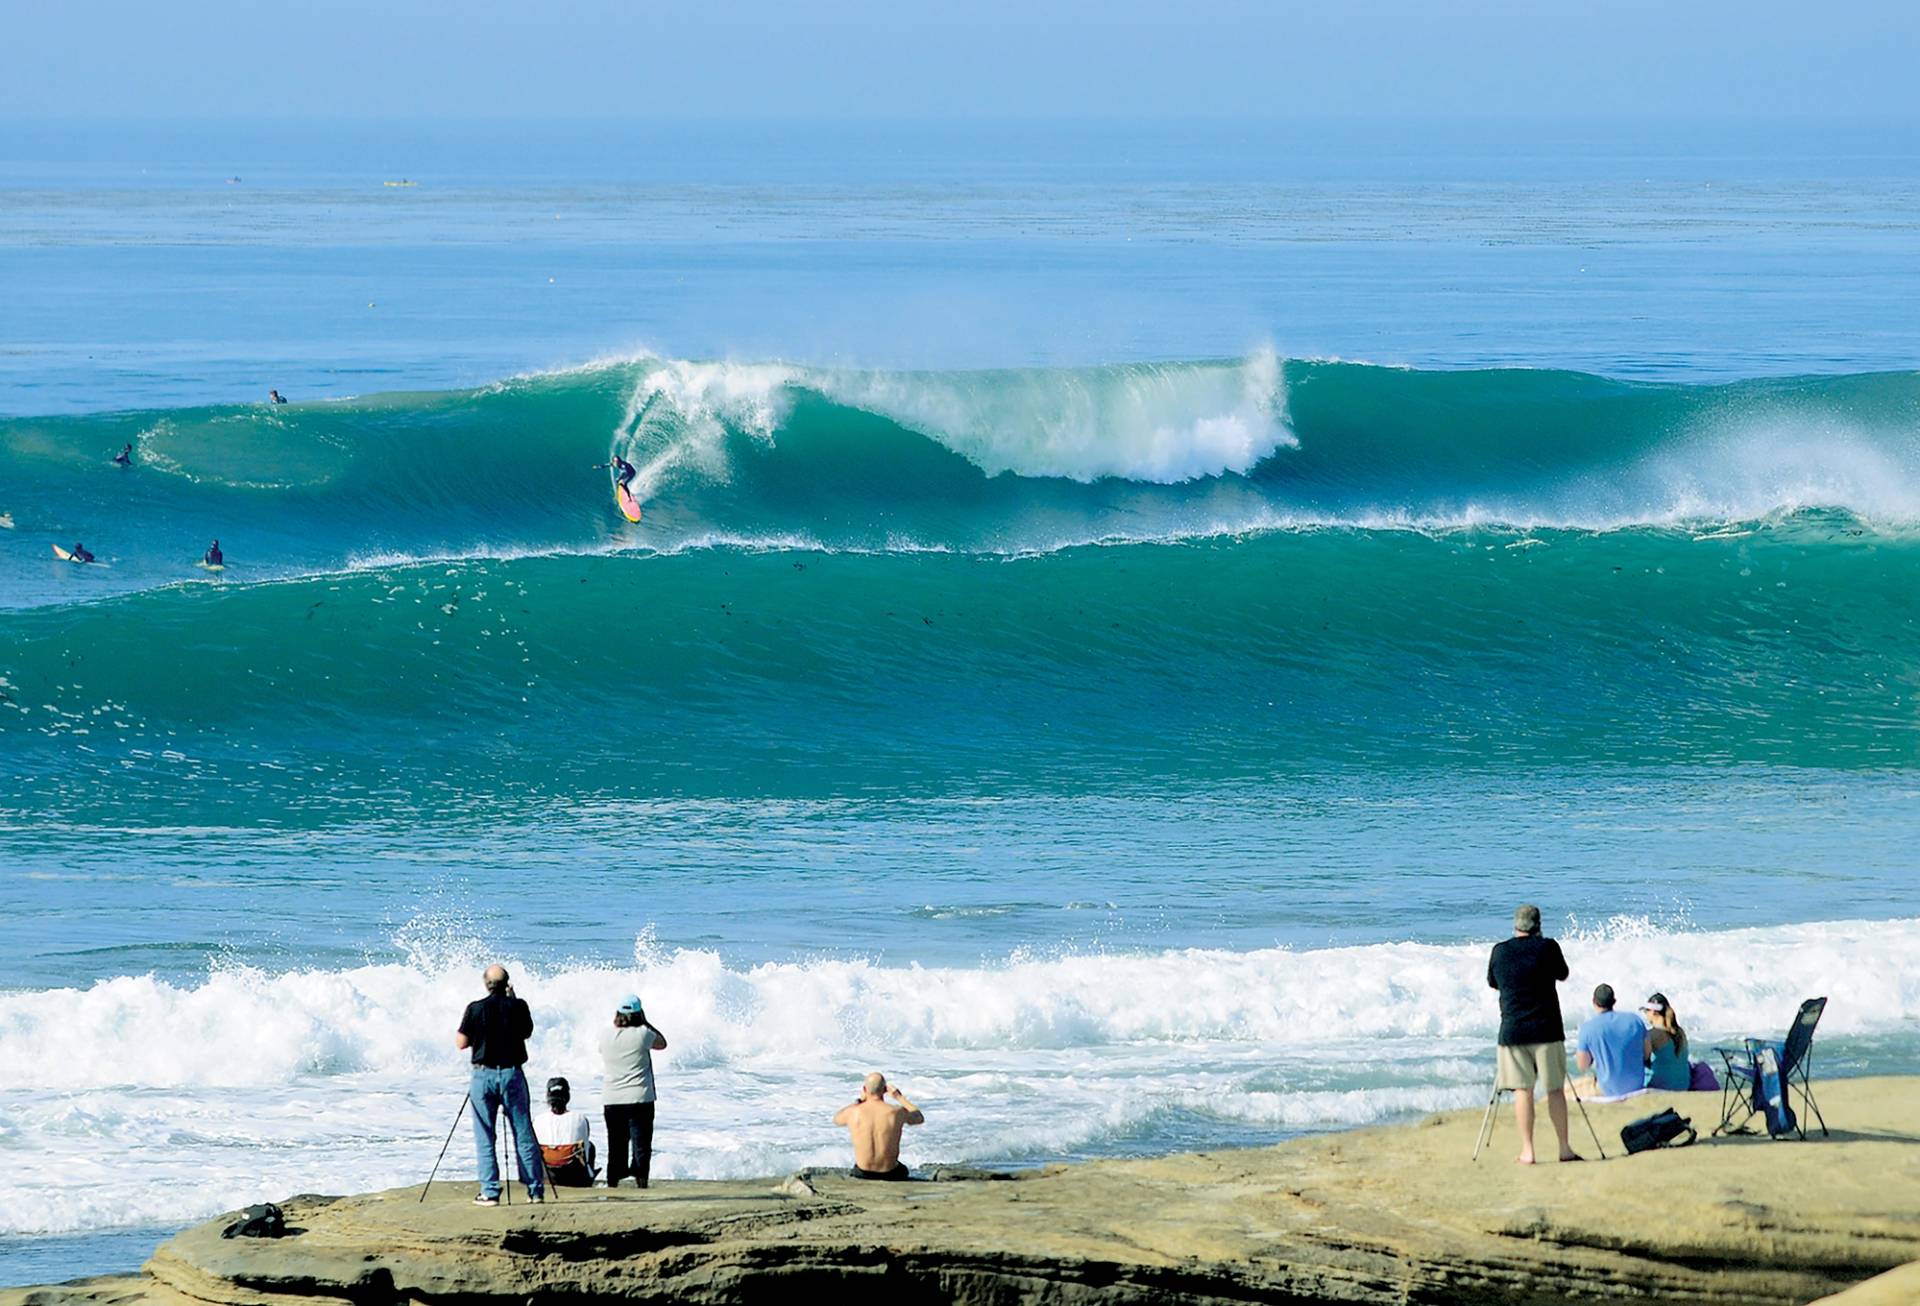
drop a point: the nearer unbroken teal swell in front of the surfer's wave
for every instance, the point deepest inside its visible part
(817, 673)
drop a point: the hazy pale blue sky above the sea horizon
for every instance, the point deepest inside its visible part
(656, 60)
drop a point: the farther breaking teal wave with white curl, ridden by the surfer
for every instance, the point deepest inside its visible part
(976, 462)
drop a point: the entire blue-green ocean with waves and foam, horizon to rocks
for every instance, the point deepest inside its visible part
(1122, 617)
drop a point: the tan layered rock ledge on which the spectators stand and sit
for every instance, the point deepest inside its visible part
(1393, 1215)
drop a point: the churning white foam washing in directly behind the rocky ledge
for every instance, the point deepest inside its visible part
(139, 1100)
